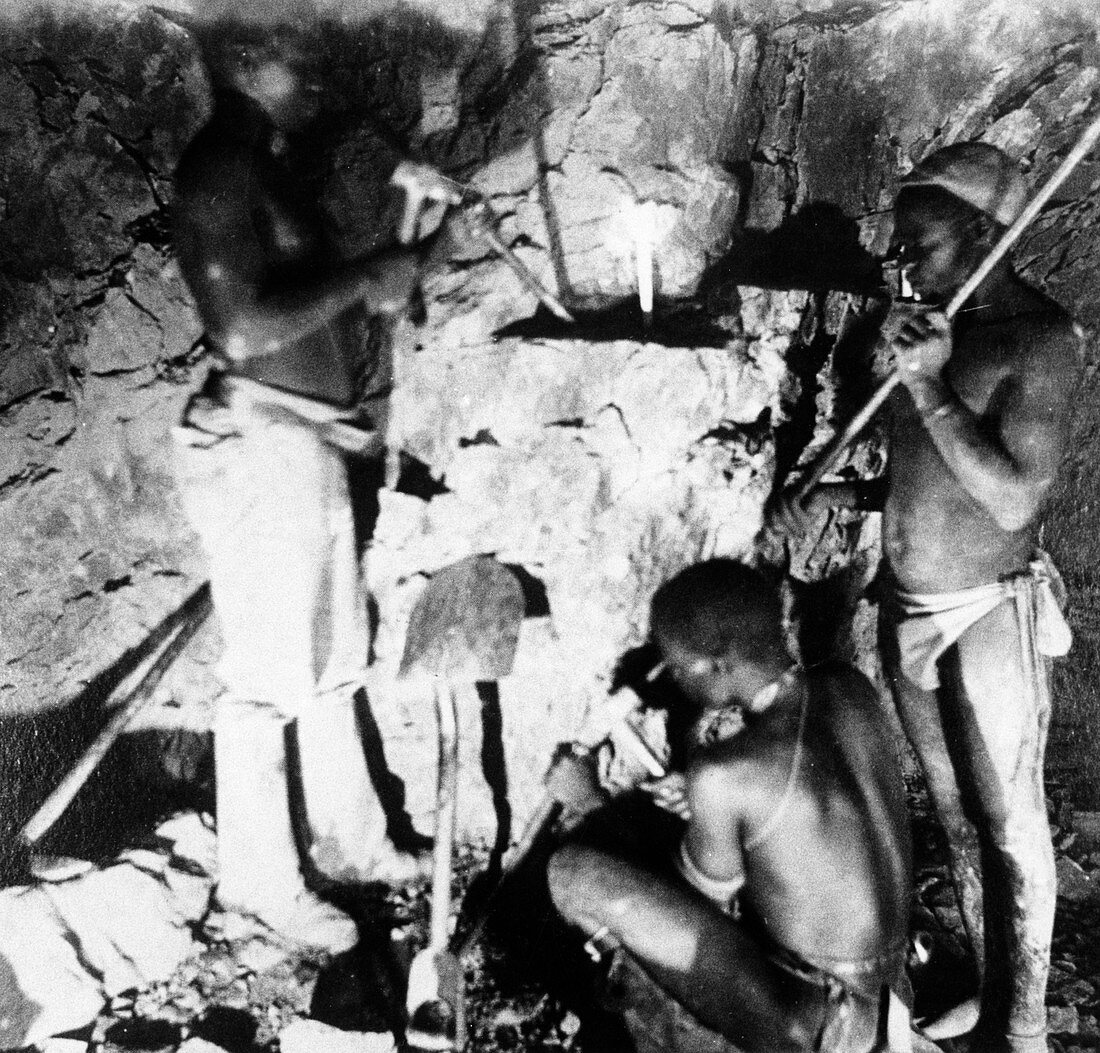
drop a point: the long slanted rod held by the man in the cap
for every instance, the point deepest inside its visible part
(829, 458)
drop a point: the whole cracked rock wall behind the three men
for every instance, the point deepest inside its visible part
(771, 138)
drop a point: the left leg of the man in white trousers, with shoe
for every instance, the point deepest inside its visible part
(236, 493)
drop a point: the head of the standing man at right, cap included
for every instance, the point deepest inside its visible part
(951, 211)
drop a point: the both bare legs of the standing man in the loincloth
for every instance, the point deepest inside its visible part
(981, 740)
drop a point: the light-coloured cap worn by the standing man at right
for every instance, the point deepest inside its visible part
(976, 173)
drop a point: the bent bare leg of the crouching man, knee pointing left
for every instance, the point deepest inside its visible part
(694, 951)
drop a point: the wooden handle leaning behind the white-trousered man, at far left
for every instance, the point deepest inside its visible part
(194, 613)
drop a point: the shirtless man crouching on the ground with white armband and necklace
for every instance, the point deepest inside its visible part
(778, 915)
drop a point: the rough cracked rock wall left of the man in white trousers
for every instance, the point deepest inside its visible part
(96, 343)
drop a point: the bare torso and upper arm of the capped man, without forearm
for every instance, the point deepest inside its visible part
(1016, 375)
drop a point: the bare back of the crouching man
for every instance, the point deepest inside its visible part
(818, 803)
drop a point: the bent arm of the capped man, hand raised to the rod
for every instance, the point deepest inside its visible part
(1007, 458)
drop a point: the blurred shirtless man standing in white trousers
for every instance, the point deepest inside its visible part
(263, 480)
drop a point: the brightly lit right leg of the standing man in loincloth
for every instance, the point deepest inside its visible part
(1004, 718)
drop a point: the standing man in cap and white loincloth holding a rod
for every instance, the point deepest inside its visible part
(976, 436)
